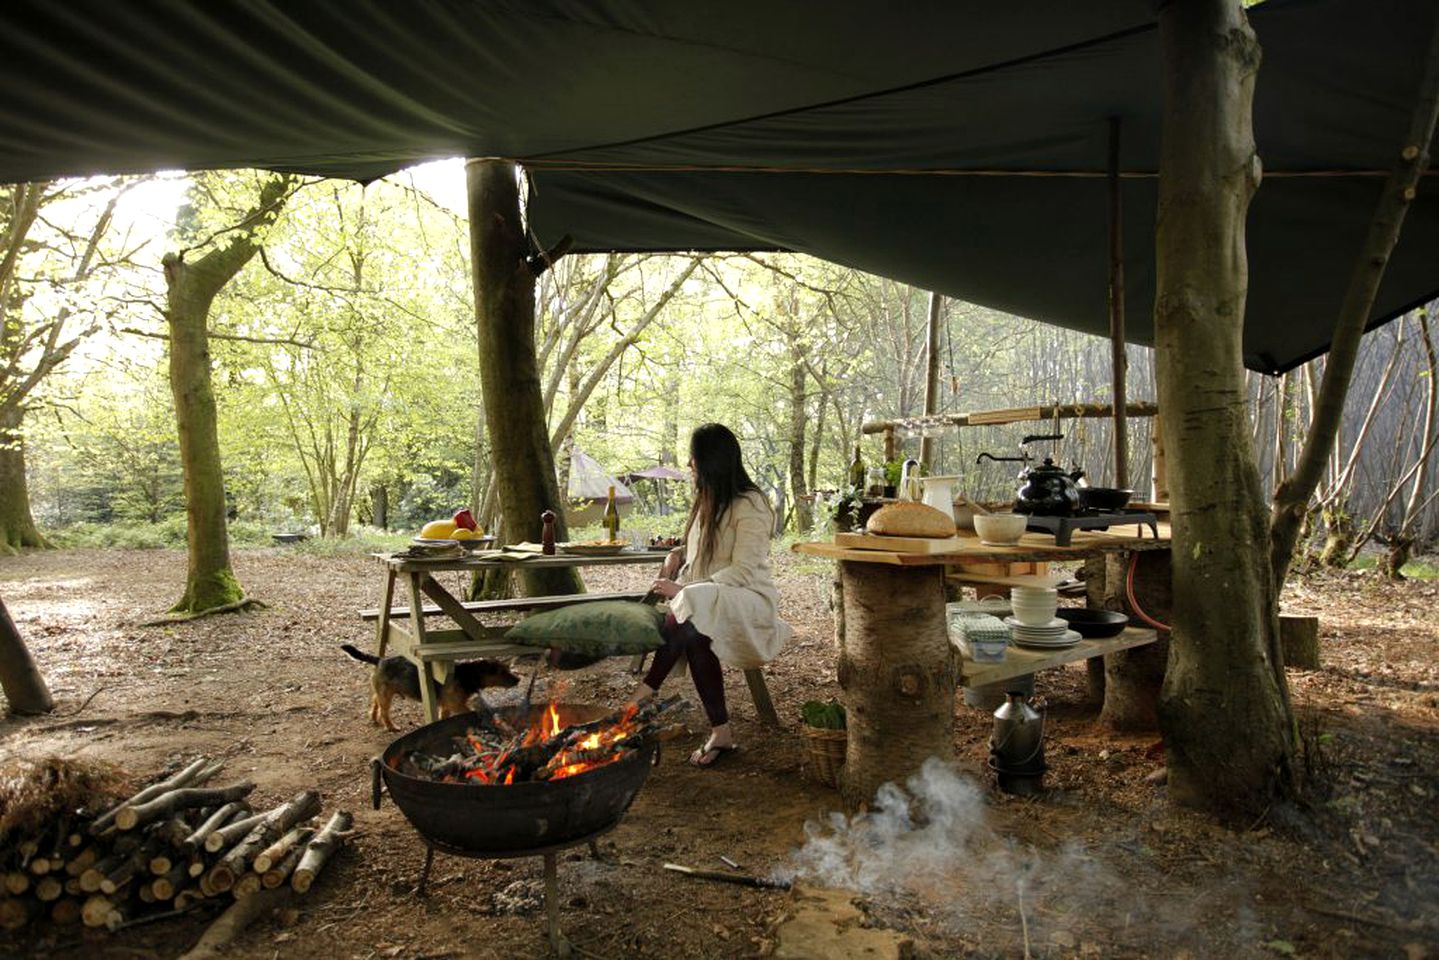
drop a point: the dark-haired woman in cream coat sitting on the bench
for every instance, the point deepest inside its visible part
(723, 604)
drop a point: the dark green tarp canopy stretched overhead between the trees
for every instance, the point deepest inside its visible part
(959, 146)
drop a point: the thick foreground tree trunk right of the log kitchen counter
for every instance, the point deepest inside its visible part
(1224, 709)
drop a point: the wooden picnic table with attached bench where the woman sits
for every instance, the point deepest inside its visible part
(404, 630)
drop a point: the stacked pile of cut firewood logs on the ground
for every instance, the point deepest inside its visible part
(73, 856)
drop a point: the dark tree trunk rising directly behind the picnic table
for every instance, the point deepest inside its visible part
(509, 369)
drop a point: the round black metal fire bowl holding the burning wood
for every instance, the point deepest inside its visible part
(520, 820)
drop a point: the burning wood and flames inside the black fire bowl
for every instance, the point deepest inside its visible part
(496, 752)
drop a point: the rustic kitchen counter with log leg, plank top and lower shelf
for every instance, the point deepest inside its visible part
(897, 667)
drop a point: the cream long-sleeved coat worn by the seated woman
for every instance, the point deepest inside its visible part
(732, 599)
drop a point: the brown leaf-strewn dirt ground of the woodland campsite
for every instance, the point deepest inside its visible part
(1102, 866)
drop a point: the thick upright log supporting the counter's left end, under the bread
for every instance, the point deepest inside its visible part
(897, 671)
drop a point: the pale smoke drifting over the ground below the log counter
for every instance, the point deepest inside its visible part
(929, 851)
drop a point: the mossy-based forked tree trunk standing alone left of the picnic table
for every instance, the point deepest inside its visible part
(191, 290)
